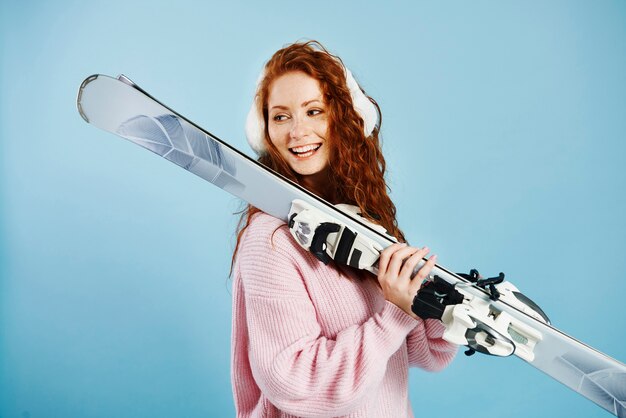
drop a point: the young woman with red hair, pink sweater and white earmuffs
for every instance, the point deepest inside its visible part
(310, 339)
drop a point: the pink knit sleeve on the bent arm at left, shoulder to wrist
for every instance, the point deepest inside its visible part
(297, 368)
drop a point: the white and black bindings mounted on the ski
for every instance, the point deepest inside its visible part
(470, 321)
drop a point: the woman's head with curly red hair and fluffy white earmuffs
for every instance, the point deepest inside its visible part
(306, 96)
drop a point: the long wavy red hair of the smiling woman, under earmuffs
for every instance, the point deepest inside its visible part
(356, 163)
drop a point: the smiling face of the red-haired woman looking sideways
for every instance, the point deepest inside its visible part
(298, 122)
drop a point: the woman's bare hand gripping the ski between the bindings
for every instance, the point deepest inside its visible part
(395, 267)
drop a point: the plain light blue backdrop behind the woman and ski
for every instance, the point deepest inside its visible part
(504, 130)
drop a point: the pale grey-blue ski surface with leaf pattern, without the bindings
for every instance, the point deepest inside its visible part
(120, 107)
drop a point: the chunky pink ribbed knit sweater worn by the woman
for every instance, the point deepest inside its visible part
(311, 340)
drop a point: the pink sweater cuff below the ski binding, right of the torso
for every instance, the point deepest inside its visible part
(426, 347)
